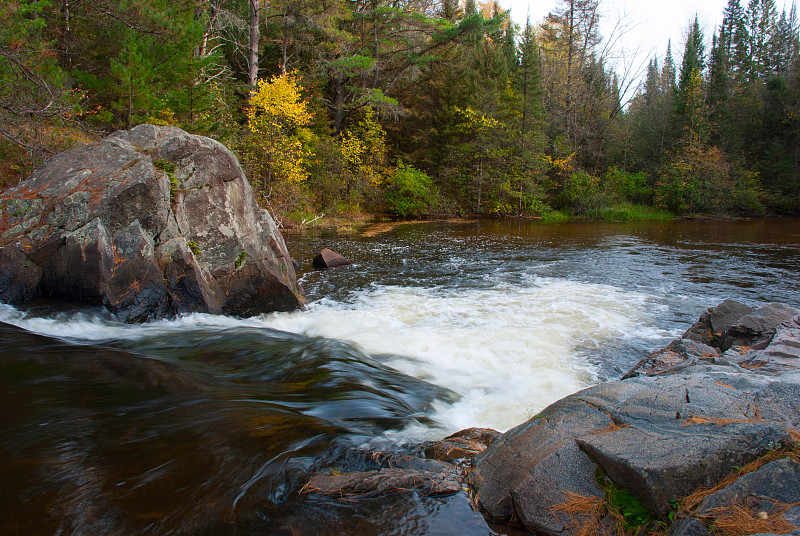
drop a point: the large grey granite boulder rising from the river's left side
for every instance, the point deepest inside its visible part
(151, 223)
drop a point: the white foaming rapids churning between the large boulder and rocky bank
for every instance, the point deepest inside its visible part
(508, 350)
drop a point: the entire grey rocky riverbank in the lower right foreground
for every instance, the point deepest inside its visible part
(700, 436)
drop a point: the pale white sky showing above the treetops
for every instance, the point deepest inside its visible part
(650, 25)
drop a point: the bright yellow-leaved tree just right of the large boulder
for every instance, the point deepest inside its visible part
(280, 144)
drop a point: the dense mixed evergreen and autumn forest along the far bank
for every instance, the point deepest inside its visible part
(420, 107)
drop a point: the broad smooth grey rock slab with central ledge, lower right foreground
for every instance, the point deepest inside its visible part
(659, 437)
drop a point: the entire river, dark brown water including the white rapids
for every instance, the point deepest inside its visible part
(212, 425)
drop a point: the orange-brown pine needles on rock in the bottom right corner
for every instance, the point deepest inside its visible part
(738, 519)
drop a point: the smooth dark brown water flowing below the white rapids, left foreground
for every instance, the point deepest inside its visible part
(195, 433)
